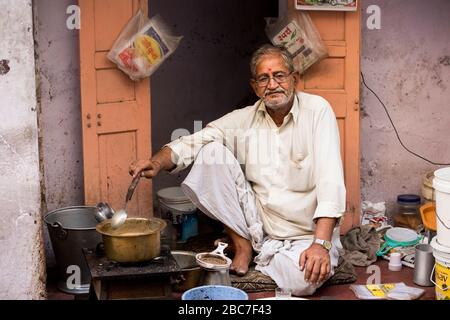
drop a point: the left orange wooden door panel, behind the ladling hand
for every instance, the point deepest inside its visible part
(115, 110)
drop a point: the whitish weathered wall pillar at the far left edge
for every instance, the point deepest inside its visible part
(22, 264)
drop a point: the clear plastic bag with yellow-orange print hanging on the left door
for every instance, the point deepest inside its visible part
(142, 46)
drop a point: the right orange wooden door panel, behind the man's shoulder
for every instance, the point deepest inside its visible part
(336, 78)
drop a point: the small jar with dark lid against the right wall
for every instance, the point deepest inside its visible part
(408, 215)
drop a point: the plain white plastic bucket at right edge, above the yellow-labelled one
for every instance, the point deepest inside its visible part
(441, 184)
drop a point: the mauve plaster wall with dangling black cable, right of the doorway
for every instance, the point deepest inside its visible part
(407, 63)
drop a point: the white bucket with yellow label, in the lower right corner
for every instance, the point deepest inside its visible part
(441, 270)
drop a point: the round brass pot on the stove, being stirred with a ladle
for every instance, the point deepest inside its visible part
(137, 240)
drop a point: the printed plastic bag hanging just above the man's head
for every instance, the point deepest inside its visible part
(297, 33)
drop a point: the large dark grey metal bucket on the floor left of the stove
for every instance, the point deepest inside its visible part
(70, 230)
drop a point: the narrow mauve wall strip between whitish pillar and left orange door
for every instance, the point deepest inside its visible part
(57, 59)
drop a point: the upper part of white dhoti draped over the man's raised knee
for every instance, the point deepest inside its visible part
(222, 193)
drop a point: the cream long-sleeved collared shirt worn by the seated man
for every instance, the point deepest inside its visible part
(295, 171)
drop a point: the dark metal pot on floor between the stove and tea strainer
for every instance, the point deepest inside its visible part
(191, 272)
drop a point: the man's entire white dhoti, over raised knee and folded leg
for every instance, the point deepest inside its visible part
(222, 193)
